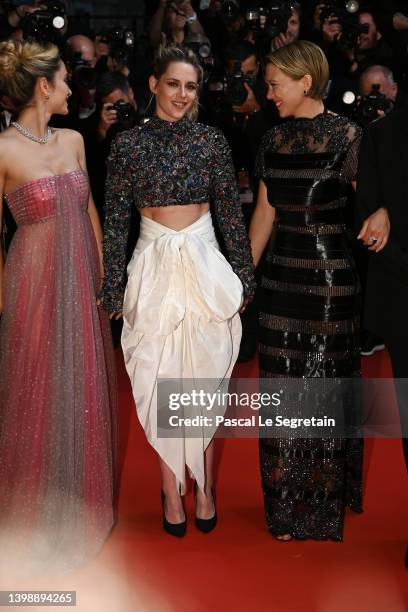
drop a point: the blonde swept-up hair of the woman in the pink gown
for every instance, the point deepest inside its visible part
(21, 64)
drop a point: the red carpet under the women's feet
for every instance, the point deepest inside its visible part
(240, 566)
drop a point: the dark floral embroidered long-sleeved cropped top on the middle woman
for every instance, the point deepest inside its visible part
(165, 163)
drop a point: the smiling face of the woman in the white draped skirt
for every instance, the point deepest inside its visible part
(176, 91)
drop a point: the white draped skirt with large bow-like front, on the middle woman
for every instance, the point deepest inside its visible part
(180, 321)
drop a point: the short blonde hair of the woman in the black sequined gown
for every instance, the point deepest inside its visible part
(300, 58)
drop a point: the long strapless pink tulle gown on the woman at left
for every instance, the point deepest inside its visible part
(57, 381)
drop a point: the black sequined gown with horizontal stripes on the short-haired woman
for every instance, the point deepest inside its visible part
(309, 317)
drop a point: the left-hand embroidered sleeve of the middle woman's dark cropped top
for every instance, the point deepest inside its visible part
(118, 204)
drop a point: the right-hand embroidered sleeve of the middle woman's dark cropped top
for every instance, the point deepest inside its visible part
(225, 198)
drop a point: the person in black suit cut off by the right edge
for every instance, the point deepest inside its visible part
(382, 206)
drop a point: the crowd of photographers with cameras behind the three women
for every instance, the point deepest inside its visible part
(366, 45)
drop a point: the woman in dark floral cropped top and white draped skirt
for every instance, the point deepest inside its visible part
(181, 299)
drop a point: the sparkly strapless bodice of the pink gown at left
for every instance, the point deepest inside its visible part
(35, 201)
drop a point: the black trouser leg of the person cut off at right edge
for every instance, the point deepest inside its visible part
(398, 350)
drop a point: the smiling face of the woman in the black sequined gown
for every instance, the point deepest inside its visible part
(287, 93)
